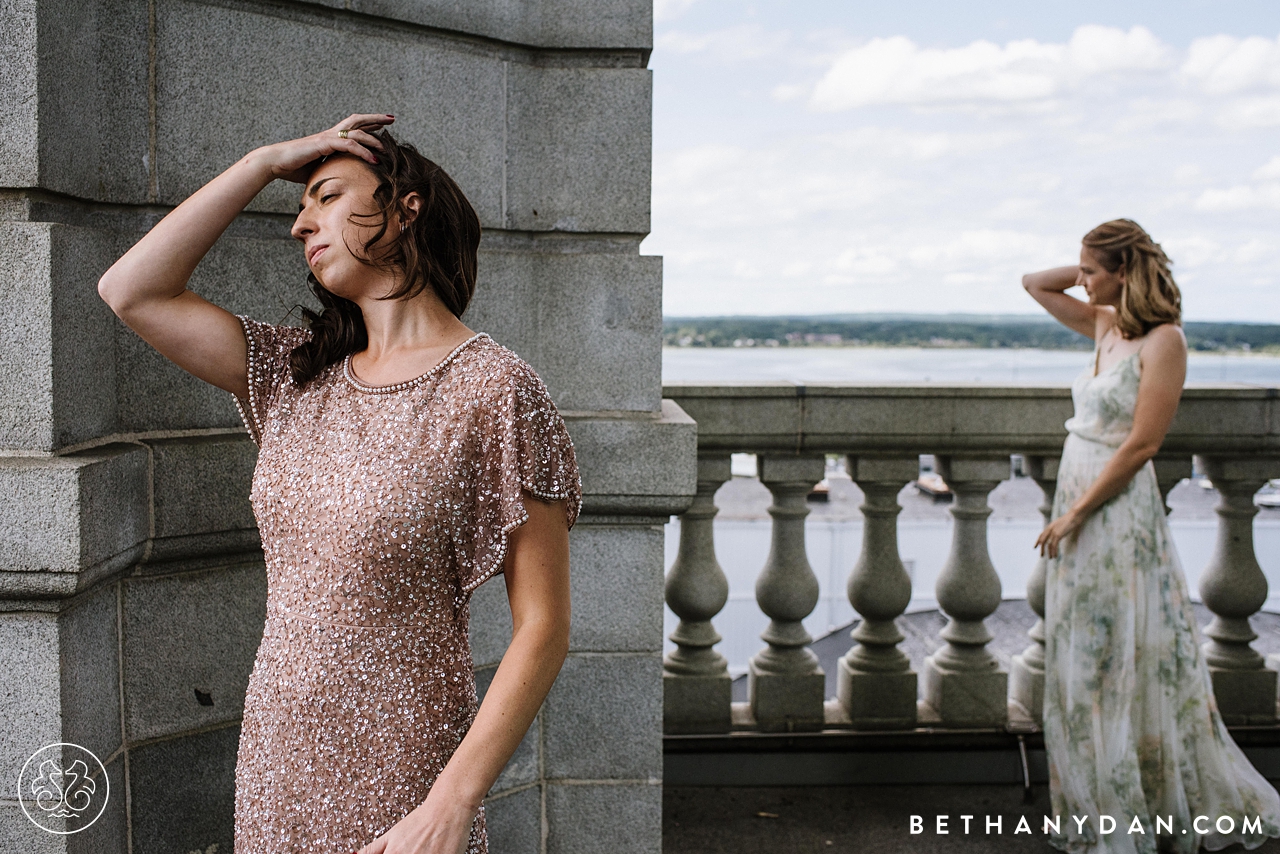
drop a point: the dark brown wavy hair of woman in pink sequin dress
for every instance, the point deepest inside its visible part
(437, 250)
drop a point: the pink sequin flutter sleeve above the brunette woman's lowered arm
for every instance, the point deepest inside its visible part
(524, 447)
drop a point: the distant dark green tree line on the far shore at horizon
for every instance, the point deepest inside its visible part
(852, 331)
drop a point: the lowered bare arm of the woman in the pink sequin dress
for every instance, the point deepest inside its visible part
(537, 576)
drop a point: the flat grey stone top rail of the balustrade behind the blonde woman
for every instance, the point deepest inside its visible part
(932, 418)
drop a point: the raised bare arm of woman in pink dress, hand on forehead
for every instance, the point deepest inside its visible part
(148, 287)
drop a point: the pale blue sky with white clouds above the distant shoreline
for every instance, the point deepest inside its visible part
(819, 157)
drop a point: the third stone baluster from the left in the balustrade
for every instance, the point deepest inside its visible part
(876, 683)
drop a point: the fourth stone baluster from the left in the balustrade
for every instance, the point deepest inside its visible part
(963, 682)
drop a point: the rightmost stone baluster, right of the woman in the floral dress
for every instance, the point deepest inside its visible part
(1235, 590)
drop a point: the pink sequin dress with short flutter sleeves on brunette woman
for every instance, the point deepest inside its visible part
(381, 510)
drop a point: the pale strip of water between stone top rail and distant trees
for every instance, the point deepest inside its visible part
(929, 366)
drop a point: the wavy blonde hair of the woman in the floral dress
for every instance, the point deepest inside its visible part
(1150, 296)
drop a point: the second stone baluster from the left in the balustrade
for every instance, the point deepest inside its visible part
(785, 683)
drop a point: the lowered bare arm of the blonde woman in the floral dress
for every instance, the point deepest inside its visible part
(1164, 369)
